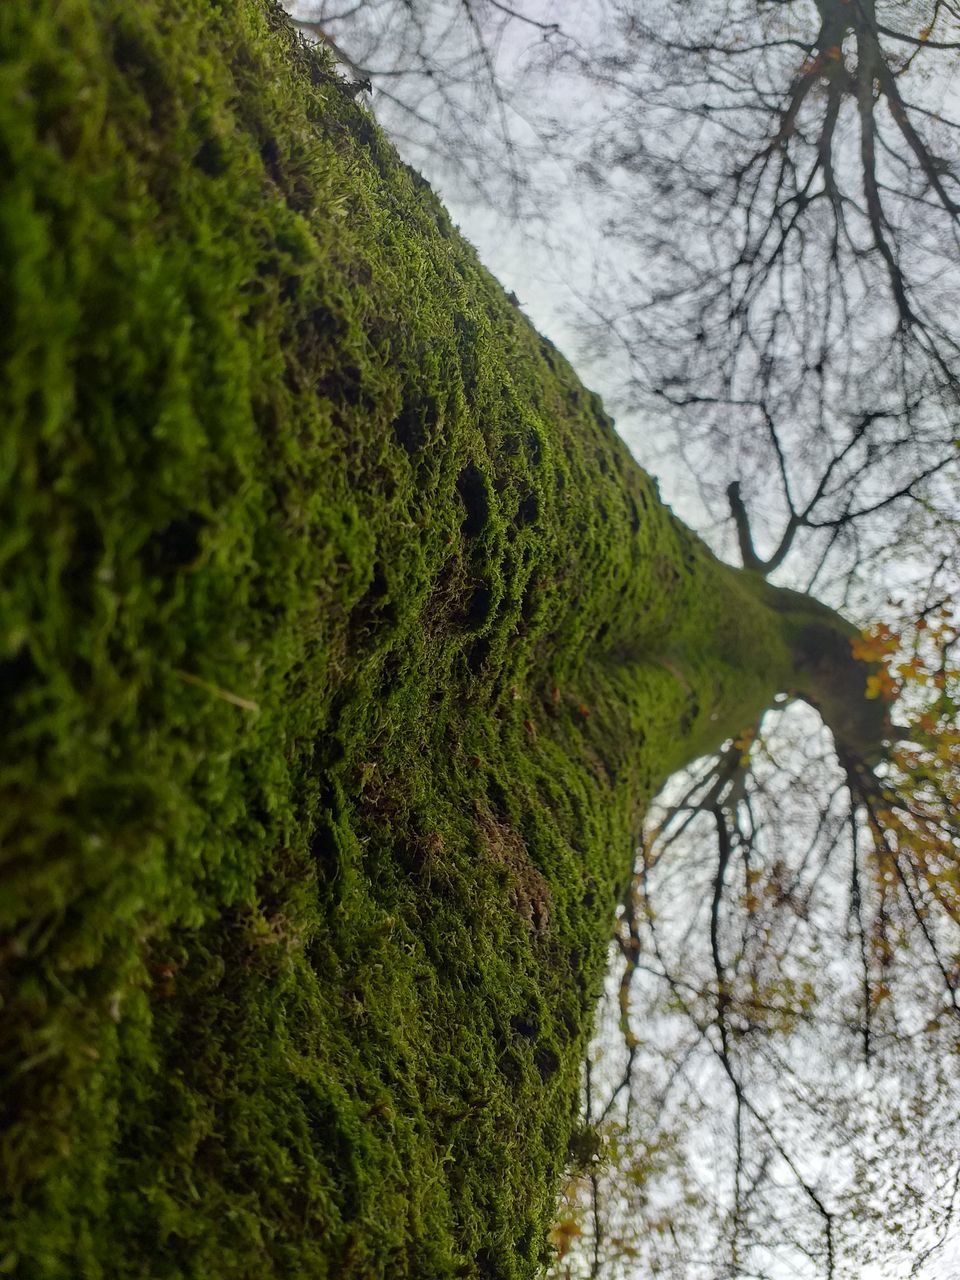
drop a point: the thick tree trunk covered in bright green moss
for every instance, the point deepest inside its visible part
(342, 646)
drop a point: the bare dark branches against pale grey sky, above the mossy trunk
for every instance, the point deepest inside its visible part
(775, 202)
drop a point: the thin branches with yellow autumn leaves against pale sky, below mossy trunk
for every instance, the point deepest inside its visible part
(788, 998)
